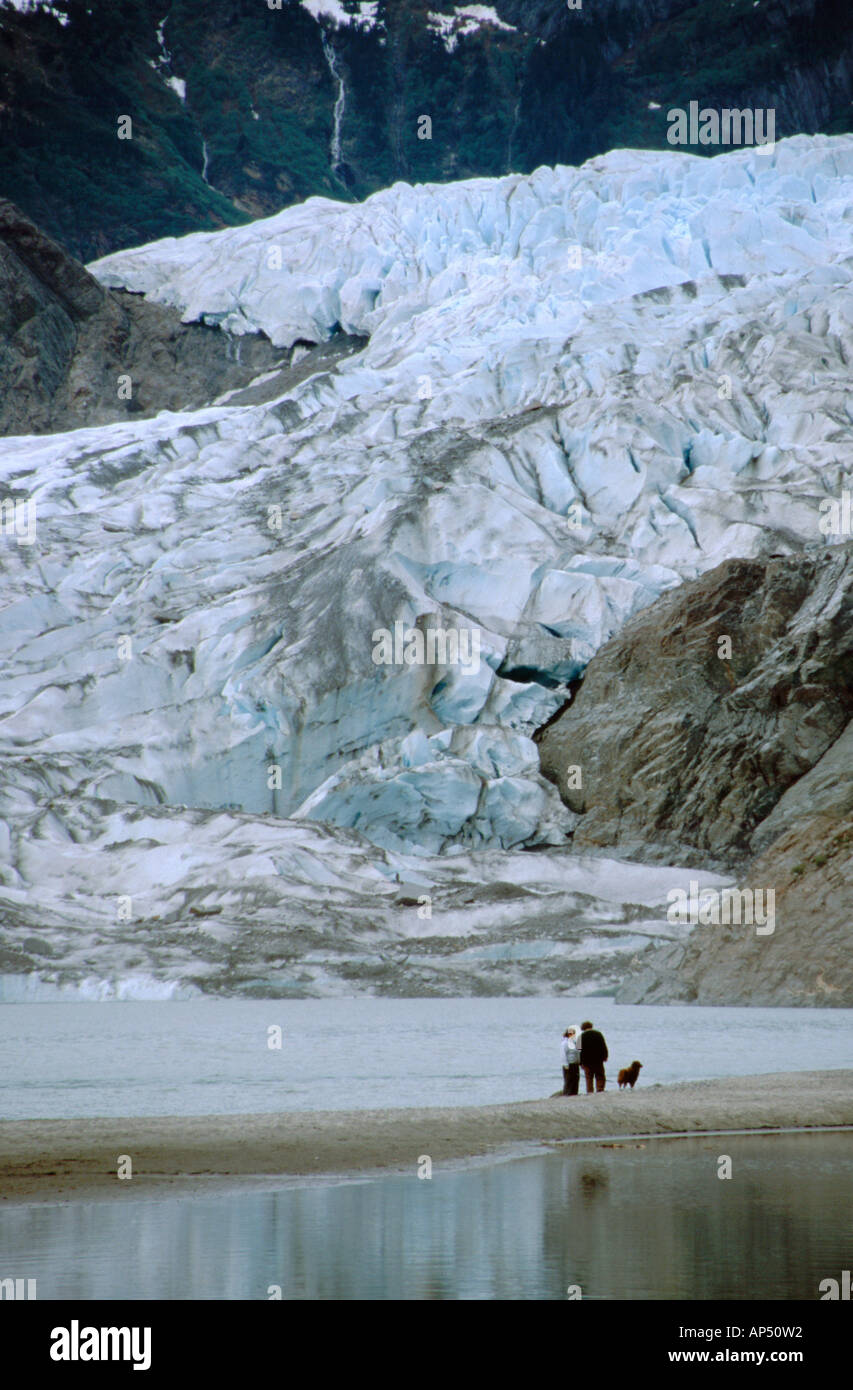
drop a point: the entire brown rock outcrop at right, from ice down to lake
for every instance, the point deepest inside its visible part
(741, 762)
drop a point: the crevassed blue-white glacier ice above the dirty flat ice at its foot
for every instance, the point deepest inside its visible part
(580, 389)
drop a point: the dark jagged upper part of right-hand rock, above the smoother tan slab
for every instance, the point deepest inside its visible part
(686, 750)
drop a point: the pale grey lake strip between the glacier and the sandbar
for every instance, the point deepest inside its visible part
(210, 1057)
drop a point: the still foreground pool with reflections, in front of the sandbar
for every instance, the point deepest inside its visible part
(631, 1223)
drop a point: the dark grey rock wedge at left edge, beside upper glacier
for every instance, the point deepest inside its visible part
(66, 343)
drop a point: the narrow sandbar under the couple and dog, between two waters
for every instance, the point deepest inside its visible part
(77, 1160)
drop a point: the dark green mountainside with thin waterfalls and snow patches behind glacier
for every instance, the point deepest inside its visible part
(240, 111)
